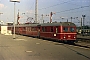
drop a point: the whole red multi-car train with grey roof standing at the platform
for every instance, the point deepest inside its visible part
(63, 31)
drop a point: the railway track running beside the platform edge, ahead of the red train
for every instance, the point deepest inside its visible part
(80, 44)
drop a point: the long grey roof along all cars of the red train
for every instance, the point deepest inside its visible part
(47, 24)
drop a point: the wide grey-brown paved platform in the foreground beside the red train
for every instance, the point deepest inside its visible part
(28, 48)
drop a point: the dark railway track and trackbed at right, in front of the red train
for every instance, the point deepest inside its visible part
(81, 43)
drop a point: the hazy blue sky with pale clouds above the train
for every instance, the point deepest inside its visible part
(61, 8)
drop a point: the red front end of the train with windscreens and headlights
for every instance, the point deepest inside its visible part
(68, 32)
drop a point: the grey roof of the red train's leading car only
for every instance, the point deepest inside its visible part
(58, 24)
